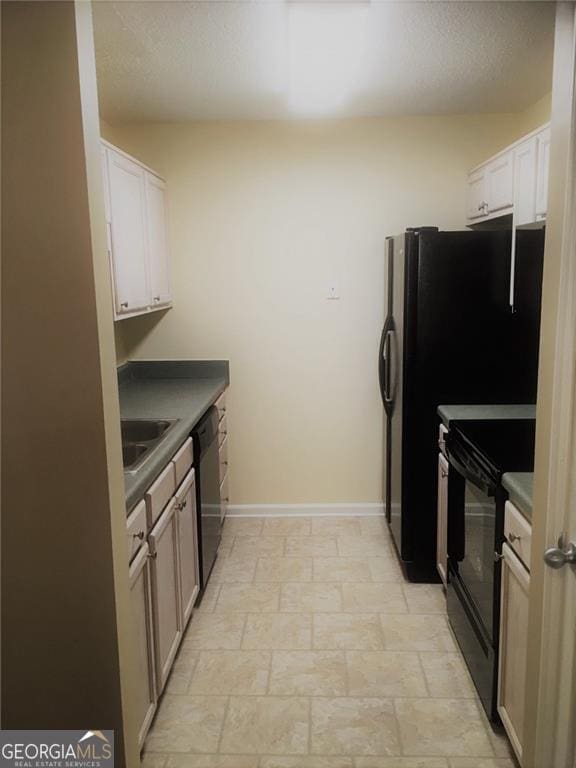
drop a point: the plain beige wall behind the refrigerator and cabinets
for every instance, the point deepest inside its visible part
(262, 217)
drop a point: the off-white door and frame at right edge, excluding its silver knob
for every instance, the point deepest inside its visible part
(550, 711)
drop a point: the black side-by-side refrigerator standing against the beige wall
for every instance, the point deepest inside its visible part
(451, 336)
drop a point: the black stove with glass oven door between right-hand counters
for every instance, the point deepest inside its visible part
(479, 453)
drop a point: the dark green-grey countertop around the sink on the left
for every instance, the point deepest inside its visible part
(181, 390)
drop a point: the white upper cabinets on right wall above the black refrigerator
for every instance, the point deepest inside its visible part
(515, 181)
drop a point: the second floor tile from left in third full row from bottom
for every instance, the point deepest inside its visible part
(278, 631)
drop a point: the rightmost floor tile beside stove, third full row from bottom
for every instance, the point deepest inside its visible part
(417, 633)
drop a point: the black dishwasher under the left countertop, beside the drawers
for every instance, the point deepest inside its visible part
(208, 504)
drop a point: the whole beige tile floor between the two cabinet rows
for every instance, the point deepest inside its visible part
(309, 650)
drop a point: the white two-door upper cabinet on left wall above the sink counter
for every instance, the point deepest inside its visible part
(137, 239)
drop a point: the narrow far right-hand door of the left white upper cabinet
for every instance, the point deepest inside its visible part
(158, 264)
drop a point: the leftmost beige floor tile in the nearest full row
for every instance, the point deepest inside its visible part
(187, 724)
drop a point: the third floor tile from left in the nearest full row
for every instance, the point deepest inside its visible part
(354, 727)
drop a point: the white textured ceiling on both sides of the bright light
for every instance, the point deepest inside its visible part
(215, 59)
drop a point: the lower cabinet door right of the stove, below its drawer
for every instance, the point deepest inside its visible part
(513, 642)
